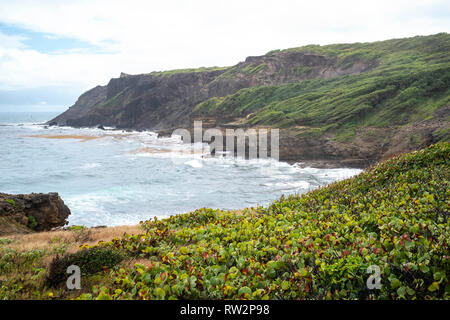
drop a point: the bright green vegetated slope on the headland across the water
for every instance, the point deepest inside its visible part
(410, 81)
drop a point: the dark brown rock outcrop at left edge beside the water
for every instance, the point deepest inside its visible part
(35, 211)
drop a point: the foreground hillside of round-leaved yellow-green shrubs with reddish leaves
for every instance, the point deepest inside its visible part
(312, 246)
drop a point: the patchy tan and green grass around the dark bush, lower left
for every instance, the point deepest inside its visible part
(30, 271)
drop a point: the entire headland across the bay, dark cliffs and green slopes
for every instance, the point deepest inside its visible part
(344, 104)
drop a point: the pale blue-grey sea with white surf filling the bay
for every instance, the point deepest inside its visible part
(116, 178)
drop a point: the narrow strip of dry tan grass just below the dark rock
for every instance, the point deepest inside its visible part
(72, 239)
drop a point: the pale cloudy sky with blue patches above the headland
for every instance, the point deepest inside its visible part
(53, 51)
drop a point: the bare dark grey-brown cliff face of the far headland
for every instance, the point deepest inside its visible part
(165, 100)
